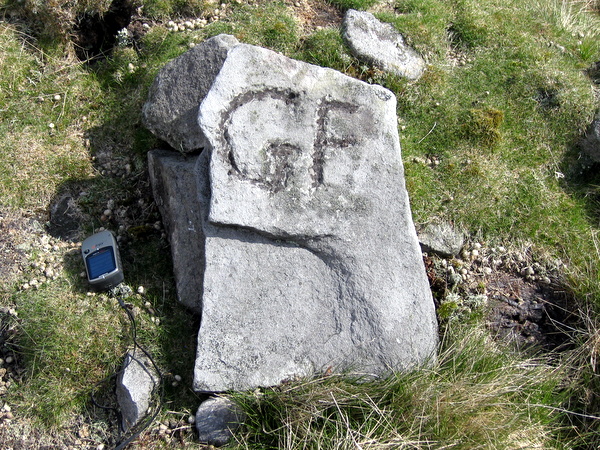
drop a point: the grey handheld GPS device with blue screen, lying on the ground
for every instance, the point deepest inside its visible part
(102, 261)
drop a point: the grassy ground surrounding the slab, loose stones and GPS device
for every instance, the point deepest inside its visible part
(489, 138)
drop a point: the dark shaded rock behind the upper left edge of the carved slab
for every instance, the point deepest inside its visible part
(172, 106)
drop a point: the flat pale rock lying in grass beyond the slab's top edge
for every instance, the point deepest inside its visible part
(381, 44)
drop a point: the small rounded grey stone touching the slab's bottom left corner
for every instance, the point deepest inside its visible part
(217, 419)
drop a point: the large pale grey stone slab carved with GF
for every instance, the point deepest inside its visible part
(312, 260)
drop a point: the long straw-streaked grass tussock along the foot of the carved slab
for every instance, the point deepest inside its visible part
(476, 395)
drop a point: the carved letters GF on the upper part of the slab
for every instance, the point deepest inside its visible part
(281, 138)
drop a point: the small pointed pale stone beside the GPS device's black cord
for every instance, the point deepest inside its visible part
(135, 386)
